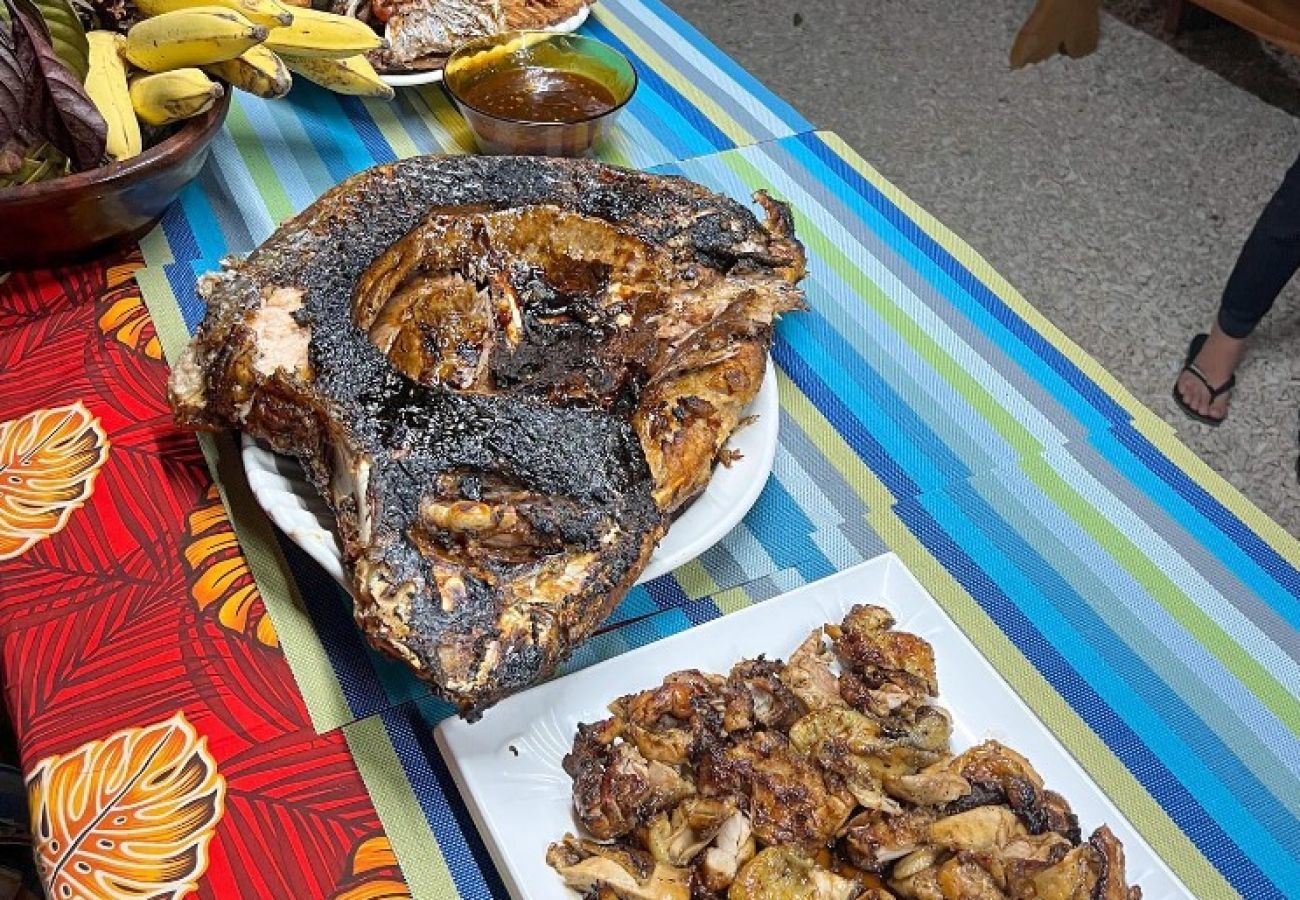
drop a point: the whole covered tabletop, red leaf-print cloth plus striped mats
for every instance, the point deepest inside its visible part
(164, 651)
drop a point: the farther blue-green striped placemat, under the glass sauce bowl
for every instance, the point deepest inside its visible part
(276, 157)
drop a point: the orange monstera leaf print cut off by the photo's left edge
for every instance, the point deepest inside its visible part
(49, 462)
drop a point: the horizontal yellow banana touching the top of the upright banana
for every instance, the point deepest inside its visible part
(190, 37)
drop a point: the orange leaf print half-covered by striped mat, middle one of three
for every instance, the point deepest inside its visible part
(219, 576)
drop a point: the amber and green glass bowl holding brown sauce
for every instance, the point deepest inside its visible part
(538, 50)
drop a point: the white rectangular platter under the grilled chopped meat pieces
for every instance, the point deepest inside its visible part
(508, 765)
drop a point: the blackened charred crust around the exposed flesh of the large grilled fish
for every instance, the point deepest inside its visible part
(349, 401)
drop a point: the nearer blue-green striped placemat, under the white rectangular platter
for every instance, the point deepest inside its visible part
(1141, 607)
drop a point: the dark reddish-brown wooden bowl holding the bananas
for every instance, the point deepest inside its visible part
(92, 213)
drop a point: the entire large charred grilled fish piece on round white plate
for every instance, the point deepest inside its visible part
(501, 484)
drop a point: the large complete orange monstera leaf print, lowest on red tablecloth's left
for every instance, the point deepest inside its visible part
(127, 817)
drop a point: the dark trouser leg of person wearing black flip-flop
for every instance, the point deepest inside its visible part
(1268, 261)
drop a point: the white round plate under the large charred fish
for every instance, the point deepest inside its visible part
(291, 501)
